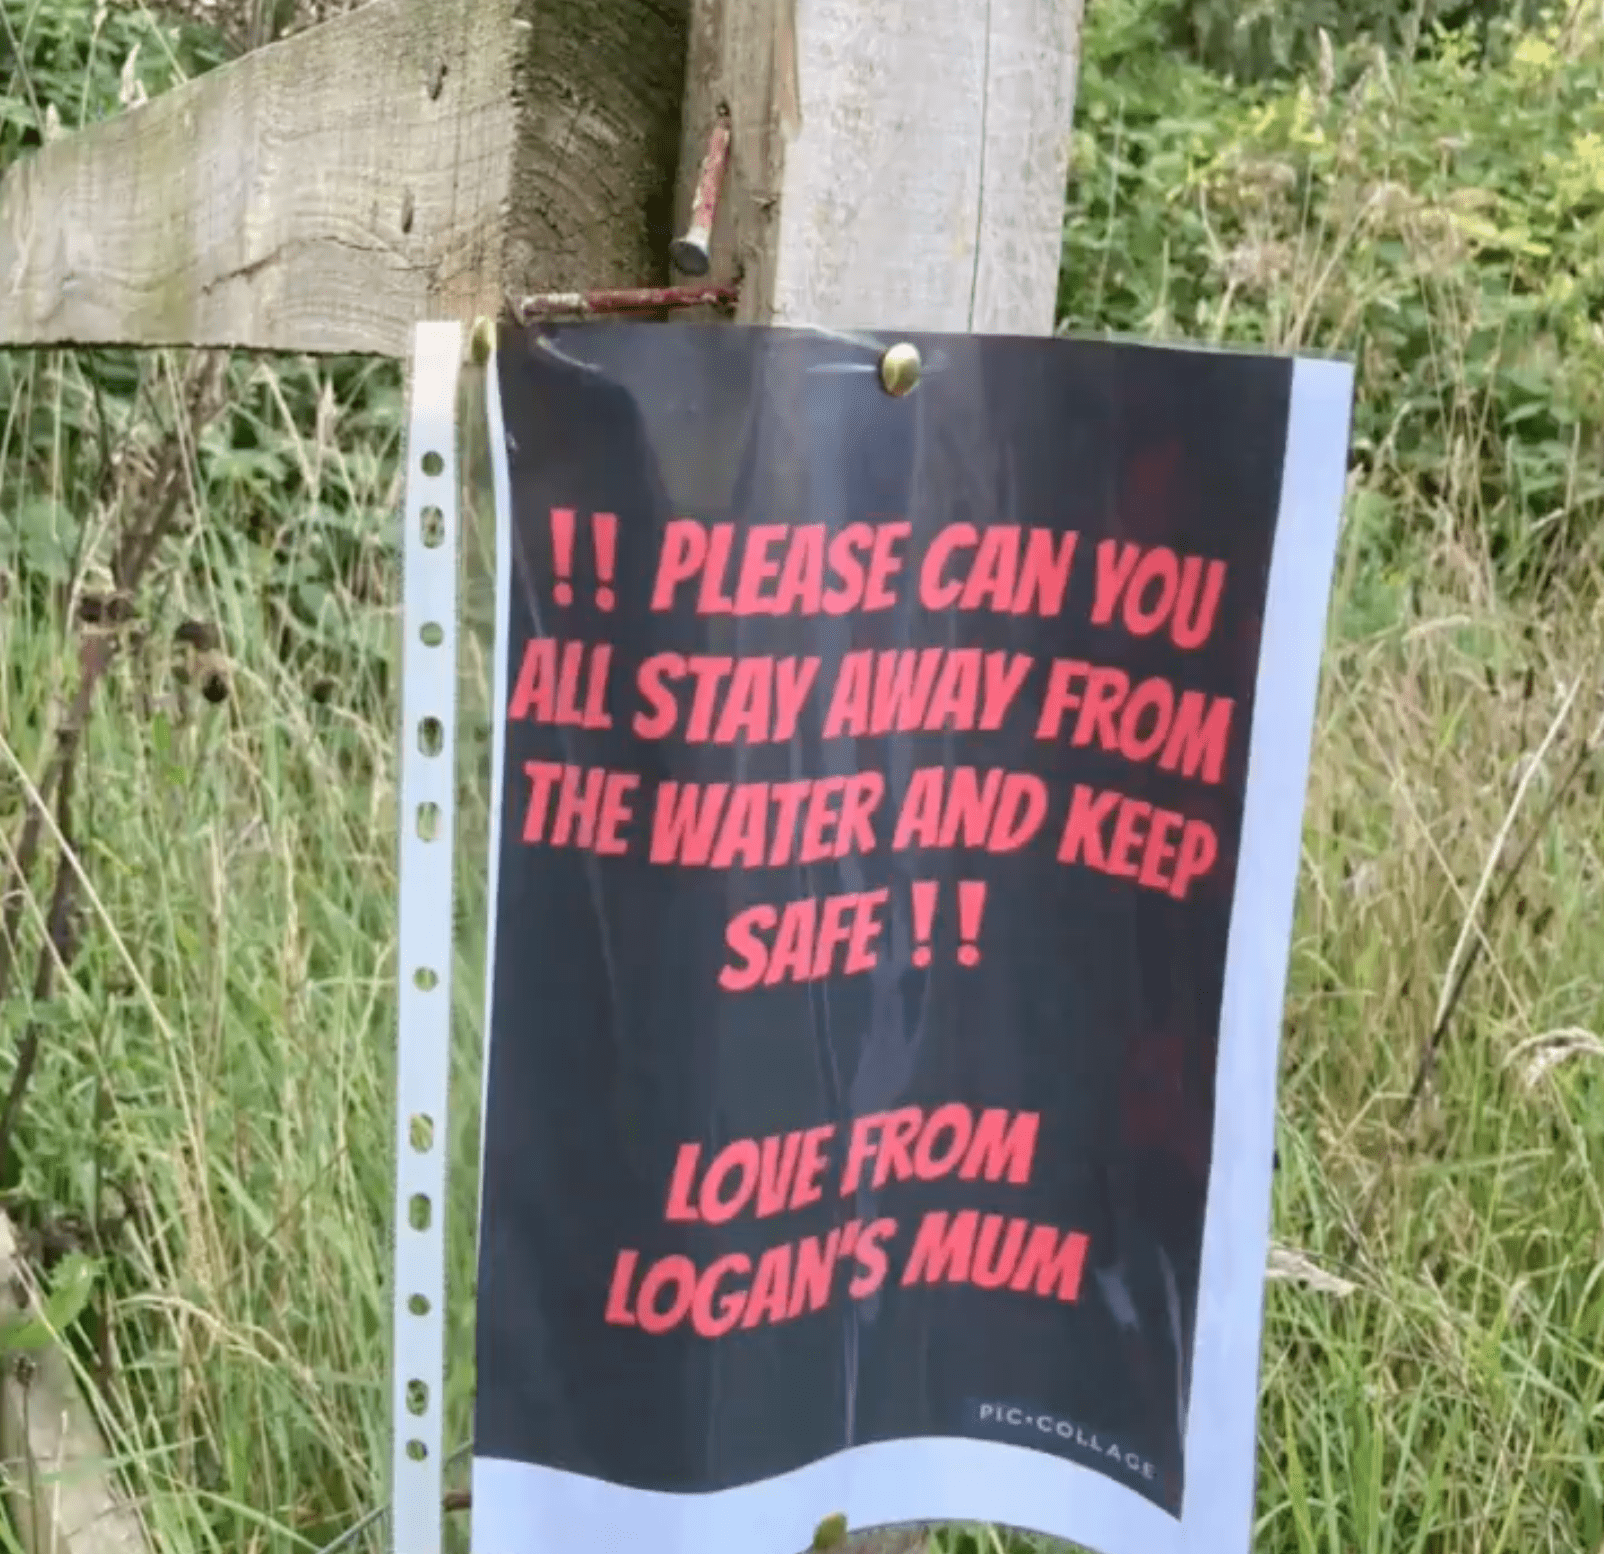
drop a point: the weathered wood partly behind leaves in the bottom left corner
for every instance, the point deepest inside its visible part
(60, 1483)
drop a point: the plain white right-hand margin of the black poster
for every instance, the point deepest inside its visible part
(1218, 1510)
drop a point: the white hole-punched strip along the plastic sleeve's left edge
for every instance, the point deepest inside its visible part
(426, 817)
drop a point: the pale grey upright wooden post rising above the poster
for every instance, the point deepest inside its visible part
(894, 166)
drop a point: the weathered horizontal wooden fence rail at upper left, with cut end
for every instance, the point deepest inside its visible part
(411, 160)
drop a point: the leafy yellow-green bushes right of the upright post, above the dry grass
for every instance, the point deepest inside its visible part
(1441, 219)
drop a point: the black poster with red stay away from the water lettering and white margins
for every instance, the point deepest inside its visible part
(896, 832)
